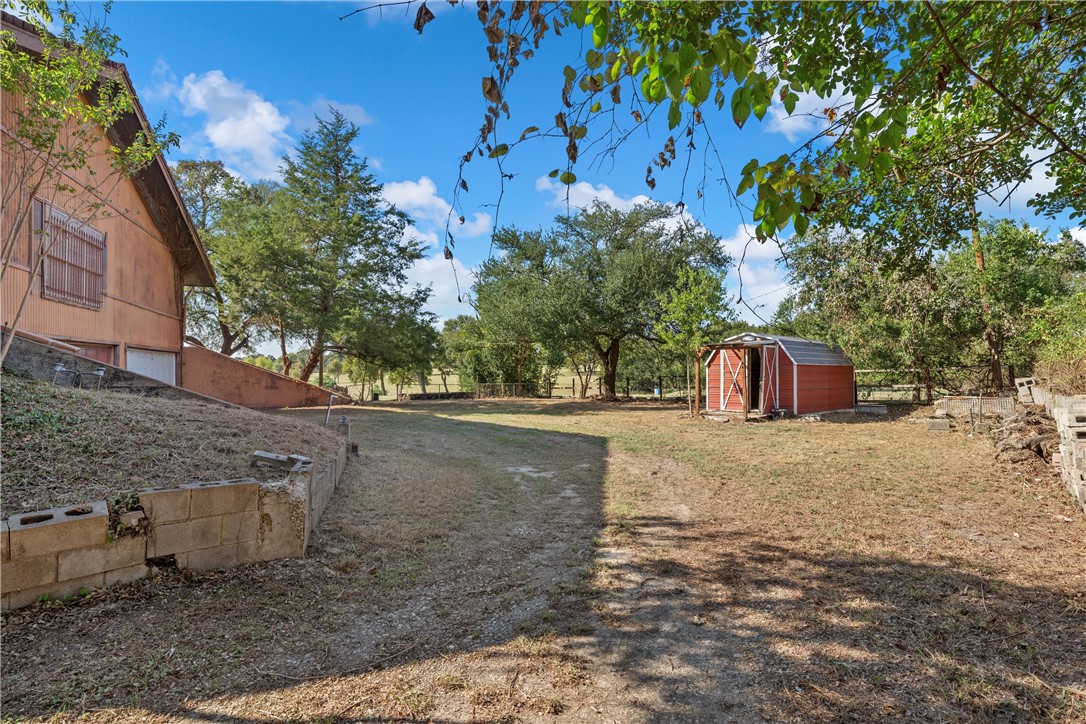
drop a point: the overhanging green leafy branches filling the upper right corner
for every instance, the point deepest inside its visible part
(921, 100)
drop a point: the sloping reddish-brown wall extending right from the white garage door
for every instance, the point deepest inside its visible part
(242, 384)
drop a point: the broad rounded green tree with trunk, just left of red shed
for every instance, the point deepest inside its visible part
(596, 281)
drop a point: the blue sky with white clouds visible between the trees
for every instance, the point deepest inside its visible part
(241, 82)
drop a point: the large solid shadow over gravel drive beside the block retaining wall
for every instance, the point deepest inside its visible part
(448, 537)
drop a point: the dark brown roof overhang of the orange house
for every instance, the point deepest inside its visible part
(155, 183)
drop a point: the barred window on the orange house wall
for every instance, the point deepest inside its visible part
(73, 271)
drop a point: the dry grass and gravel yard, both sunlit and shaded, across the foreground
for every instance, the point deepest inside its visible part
(579, 562)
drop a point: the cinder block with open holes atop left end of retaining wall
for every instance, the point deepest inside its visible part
(60, 529)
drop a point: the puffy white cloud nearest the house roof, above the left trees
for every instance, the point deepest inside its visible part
(246, 131)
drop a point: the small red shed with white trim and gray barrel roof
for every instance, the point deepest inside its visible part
(780, 373)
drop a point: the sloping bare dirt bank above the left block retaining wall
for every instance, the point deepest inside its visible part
(64, 446)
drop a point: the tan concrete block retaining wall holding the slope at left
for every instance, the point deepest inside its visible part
(203, 526)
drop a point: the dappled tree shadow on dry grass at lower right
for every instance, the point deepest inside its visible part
(835, 637)
